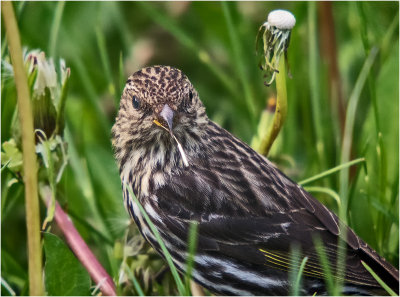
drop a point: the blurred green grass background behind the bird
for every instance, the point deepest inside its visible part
(214, 44)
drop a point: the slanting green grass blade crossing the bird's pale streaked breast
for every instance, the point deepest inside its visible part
(178, 281)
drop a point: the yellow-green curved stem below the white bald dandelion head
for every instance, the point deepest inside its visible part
(280, 111)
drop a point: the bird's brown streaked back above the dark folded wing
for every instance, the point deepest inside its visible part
(240, 182)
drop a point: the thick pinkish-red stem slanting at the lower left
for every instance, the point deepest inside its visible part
(83, 253)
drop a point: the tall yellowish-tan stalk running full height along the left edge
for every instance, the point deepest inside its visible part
(28, 151)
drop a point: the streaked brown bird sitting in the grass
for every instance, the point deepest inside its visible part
(185, 169)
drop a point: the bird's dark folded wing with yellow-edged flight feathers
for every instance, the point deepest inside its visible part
(249, 236)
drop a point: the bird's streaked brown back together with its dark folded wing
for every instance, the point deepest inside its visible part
(243, 202)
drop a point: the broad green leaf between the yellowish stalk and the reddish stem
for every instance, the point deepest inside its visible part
(64, 274)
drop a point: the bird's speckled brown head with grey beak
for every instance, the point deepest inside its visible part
(158, 104)
